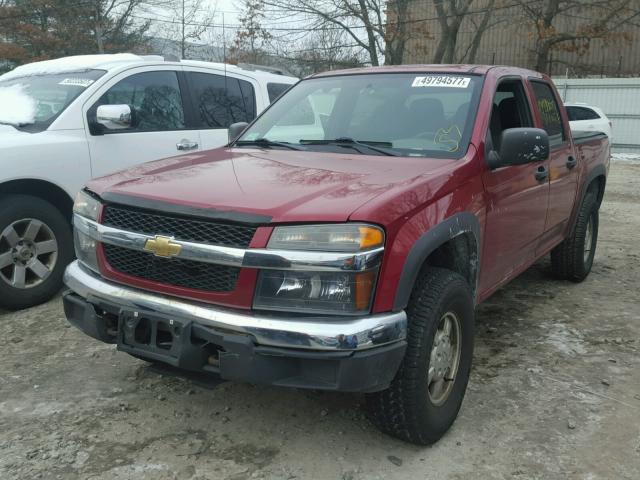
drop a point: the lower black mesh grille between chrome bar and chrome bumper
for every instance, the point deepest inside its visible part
(172, 271)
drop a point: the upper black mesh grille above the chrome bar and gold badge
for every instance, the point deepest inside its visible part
(179, 227)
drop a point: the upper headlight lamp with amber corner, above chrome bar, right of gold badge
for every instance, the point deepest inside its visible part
(327, 238)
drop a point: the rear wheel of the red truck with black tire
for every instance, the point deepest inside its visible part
(570, 260)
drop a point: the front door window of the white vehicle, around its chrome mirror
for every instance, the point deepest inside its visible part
(153, 96)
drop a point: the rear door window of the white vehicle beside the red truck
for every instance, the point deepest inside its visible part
(221, 101)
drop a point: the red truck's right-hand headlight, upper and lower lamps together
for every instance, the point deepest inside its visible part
(320, 292)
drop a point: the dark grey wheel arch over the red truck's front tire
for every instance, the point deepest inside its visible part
(453, 244)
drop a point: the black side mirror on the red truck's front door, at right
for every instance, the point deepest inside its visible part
(519, 146)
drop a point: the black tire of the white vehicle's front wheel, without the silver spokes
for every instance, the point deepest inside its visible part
(14, 208)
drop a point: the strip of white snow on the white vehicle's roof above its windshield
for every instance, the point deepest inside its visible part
(69, 64)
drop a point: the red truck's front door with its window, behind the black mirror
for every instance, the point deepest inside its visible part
(517, 195)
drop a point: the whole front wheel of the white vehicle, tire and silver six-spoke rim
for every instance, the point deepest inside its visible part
(35, 246)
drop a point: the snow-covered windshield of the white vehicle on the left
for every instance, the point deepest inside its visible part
(32, 103)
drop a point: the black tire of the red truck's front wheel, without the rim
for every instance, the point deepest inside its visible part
(406, 410)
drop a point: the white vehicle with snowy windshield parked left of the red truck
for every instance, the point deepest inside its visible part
(65, 121)
